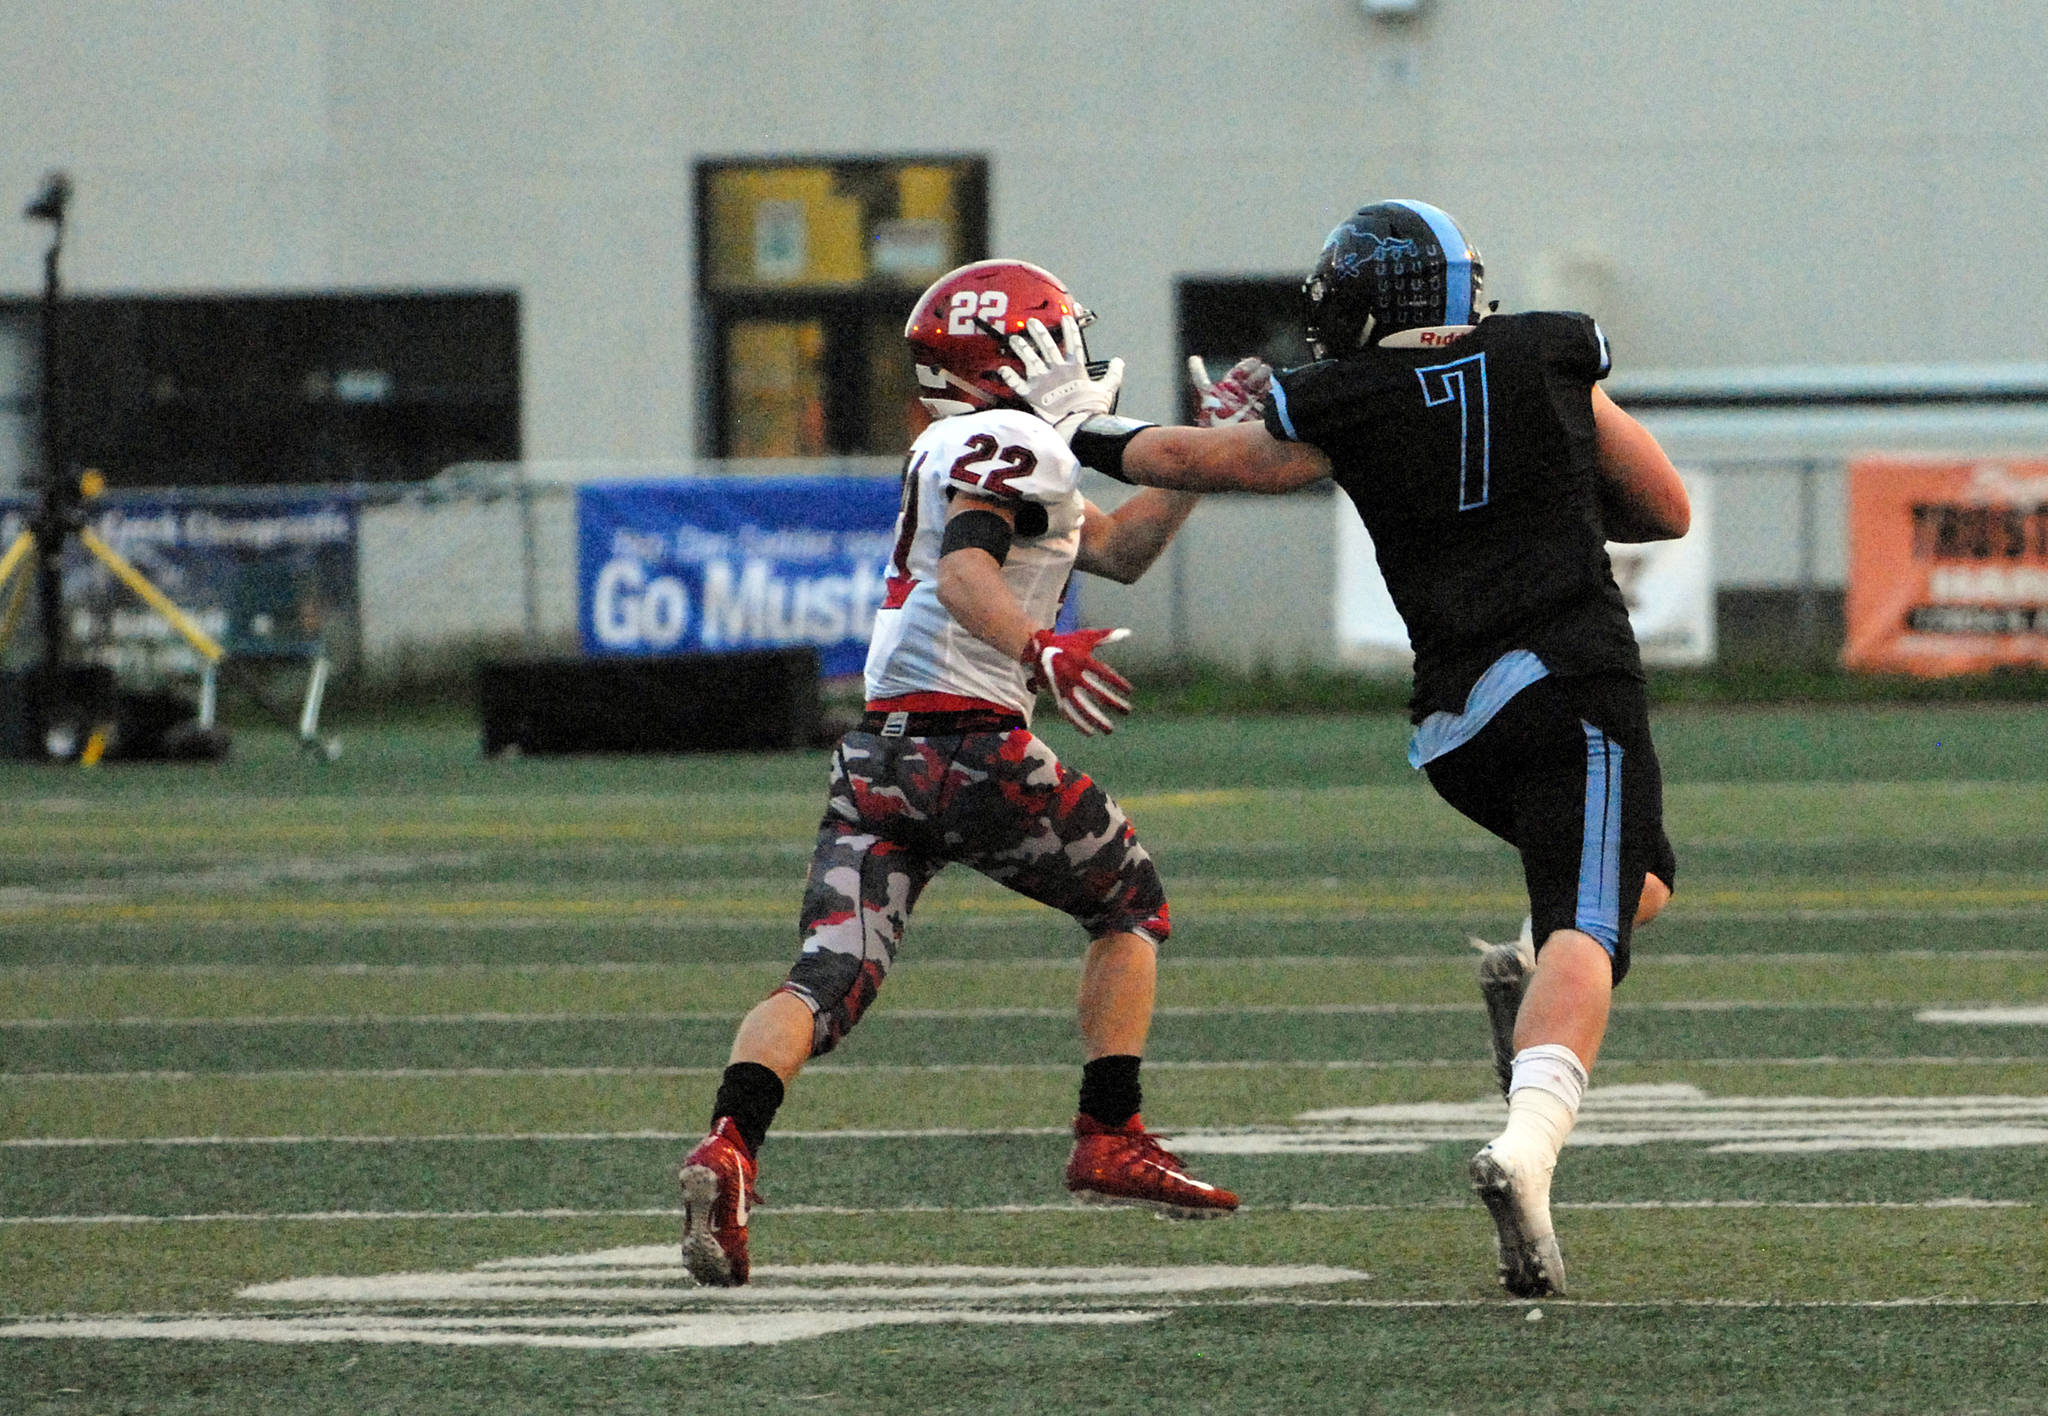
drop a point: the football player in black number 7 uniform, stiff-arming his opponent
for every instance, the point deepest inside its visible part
(1490, 470)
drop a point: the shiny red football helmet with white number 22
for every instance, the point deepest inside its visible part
(959, 331)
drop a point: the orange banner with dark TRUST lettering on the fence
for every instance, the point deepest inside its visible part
(1949, 567)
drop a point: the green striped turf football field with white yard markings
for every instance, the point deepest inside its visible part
(359, 1085)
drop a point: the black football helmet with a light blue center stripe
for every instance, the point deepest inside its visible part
(1396, 265)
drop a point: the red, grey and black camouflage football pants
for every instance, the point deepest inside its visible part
(902, 808)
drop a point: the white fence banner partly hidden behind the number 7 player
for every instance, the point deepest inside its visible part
(1668, 587)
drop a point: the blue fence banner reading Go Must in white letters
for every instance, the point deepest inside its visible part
(720, 565)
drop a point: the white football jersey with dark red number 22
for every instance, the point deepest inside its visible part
(1005, 456)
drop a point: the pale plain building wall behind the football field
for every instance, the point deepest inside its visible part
(1740, 183)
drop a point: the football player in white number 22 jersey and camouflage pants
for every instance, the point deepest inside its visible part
(945, 767)
